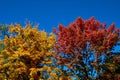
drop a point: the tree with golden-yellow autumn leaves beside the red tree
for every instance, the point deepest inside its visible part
(27, 54)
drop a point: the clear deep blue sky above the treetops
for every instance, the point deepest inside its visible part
(50, 13)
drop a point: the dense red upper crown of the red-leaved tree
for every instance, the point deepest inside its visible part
(78, 34)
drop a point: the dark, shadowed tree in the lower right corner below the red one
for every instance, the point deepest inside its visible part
(111, 66)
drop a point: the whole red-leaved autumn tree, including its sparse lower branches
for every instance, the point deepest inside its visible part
(82, 45)
